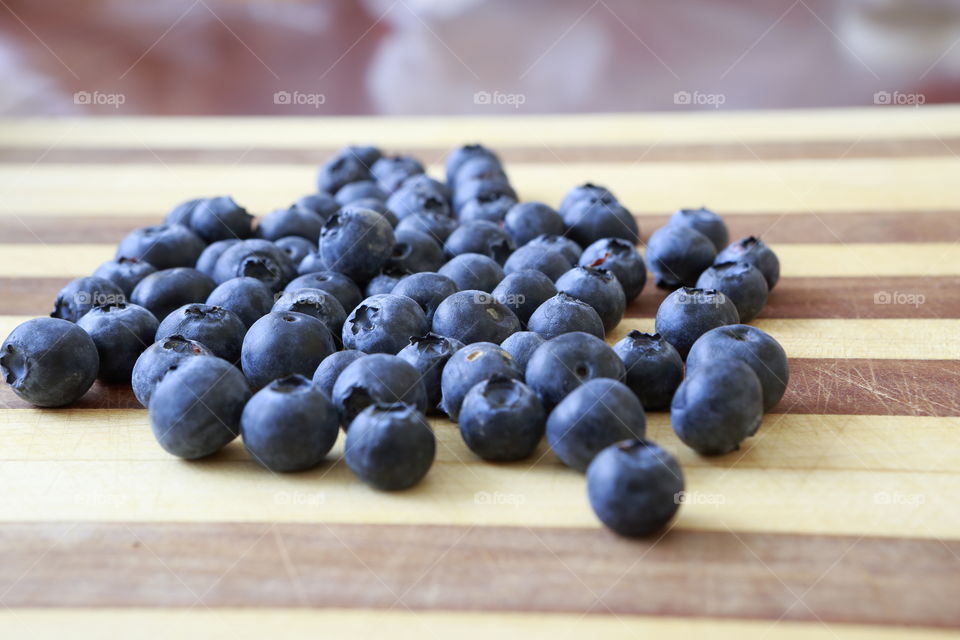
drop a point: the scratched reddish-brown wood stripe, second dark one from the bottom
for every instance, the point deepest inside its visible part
(817, 386)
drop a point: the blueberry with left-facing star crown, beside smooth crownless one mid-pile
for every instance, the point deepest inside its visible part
(383, 324)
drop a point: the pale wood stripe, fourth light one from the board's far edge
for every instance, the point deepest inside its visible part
(886, 338)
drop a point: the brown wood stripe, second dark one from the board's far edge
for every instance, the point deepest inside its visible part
(782, 228)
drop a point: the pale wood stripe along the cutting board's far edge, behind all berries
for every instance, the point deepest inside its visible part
(521, 130)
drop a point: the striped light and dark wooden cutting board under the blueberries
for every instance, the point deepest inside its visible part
(840, 519)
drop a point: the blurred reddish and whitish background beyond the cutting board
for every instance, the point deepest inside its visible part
(285, 57)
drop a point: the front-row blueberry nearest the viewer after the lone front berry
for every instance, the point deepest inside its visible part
(390, 446)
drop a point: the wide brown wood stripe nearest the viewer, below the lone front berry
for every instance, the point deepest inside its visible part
(687, 573)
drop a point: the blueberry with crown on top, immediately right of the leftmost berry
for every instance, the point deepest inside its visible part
(121, 332)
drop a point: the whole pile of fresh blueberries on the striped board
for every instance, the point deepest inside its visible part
(387, 295)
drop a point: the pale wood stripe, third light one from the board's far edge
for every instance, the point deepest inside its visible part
(796, 260)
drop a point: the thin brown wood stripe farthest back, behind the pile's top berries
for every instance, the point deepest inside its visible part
(716, 152)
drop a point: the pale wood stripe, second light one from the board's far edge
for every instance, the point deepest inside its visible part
(747, 187)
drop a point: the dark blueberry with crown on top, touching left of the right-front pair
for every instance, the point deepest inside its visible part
(654, 368)
